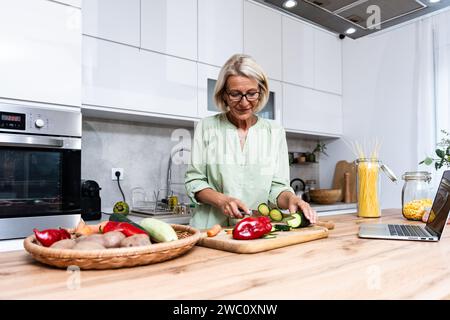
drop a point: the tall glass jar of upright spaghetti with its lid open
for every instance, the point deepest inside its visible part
(368, 186)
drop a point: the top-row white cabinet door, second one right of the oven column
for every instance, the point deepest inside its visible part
(170, 27)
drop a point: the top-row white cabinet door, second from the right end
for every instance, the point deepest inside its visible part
(298, 52)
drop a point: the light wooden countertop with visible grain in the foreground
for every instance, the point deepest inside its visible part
(342, 266)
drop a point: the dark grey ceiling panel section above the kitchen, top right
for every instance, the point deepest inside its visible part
(365, 16)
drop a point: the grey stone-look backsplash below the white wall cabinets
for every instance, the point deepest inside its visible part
(143, 151)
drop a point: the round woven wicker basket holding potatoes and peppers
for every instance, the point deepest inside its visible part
(115, 258)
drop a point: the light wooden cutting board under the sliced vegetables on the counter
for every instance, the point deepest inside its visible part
(225, 242)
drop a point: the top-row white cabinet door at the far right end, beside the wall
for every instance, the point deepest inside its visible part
(328, 62)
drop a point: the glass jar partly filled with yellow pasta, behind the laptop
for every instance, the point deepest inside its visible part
(416, 194)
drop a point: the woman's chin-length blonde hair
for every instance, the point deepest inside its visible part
(241, 65)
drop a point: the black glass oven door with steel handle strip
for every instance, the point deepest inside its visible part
(39, 175)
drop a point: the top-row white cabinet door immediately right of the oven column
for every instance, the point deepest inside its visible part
(116, 20)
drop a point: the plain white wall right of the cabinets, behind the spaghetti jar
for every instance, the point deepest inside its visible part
(378, 102)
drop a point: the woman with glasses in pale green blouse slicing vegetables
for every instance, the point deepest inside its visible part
(239, 159)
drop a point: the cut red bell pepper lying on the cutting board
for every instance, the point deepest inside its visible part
(252, 228)
